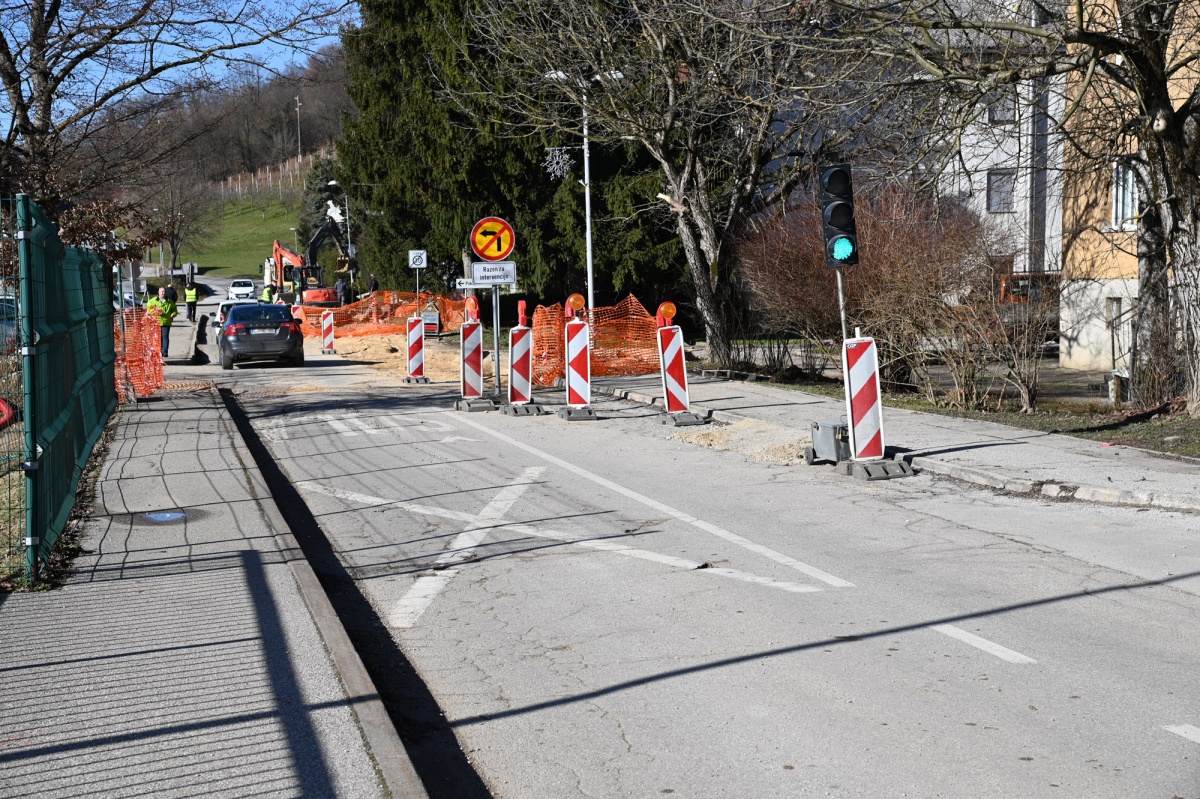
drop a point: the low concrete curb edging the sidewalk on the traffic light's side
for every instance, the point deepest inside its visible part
(1021, 486)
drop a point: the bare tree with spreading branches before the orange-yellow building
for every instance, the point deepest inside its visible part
(1127, 69)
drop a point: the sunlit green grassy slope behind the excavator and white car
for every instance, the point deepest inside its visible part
(245, 241)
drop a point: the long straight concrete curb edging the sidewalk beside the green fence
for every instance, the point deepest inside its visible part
(383, 742)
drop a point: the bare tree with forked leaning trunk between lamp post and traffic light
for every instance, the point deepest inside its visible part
(734, 122)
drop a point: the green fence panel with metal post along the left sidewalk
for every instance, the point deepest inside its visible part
(57, 375)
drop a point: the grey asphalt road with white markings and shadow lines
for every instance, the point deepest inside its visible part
(603, 611)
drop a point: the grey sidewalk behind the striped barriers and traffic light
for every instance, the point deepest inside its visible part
(1010, 459)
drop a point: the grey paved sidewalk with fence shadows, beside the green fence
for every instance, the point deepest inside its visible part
(194, 652)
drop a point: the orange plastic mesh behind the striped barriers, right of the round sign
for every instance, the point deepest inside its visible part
(623, 343)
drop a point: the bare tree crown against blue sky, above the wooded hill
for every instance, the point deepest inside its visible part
(91, 88)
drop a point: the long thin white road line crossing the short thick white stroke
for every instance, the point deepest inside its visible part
(555, 536)
